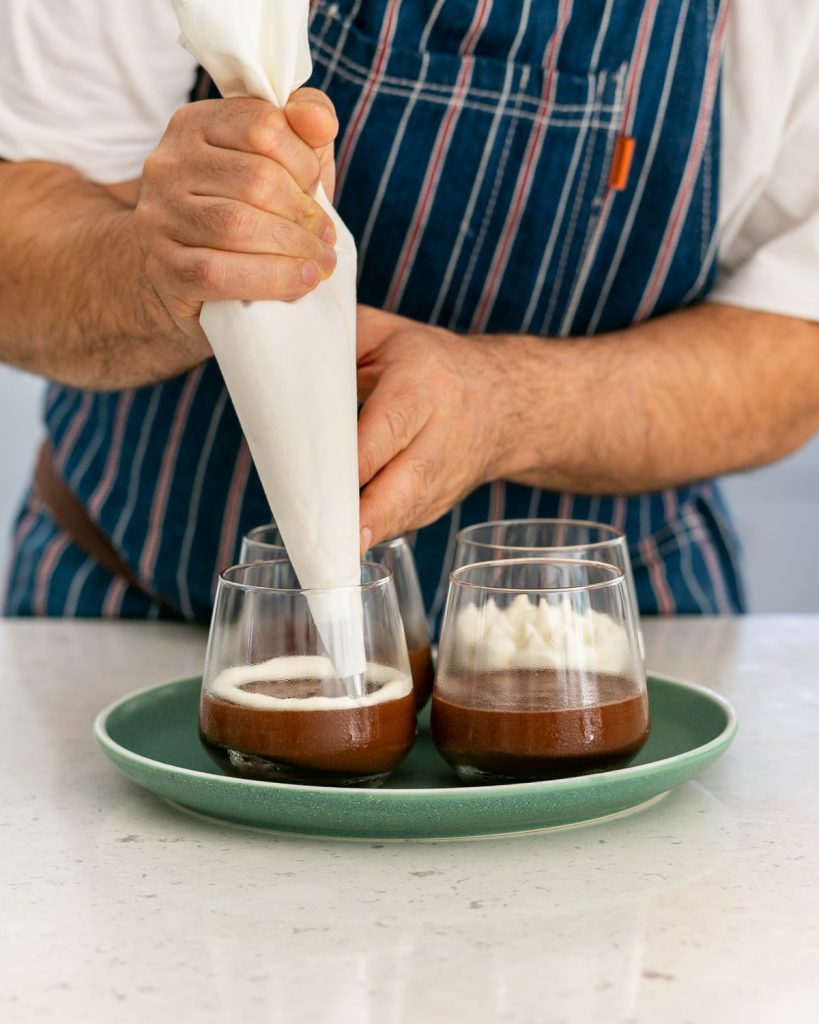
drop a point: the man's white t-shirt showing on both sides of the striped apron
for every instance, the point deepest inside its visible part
(94, 84)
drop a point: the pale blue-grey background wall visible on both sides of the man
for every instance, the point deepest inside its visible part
(778, 509)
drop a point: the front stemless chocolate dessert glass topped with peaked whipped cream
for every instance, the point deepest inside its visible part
(540, 673)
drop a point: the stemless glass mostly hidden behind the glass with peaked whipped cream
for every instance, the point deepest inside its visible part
(549, 539)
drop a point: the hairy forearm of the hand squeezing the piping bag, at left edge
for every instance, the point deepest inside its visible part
(75, 304)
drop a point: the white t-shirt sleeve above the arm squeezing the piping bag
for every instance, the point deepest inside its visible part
(90, 84)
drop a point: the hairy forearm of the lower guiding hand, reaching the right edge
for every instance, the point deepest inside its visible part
(703, 392)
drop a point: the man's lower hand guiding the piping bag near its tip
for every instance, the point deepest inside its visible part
(433, 426)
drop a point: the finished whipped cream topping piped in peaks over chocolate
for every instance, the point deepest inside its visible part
(540, 634)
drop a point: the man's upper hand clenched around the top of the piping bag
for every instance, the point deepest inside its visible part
(226, 208)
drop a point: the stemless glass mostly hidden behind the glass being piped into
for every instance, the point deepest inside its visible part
(265, 543)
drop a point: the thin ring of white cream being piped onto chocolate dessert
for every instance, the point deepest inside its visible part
(229, 686)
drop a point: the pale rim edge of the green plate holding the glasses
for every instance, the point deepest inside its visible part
(725, 737)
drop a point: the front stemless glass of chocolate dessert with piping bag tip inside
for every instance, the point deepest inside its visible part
(273, 706)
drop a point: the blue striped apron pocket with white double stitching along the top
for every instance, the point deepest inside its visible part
(449, 168)
